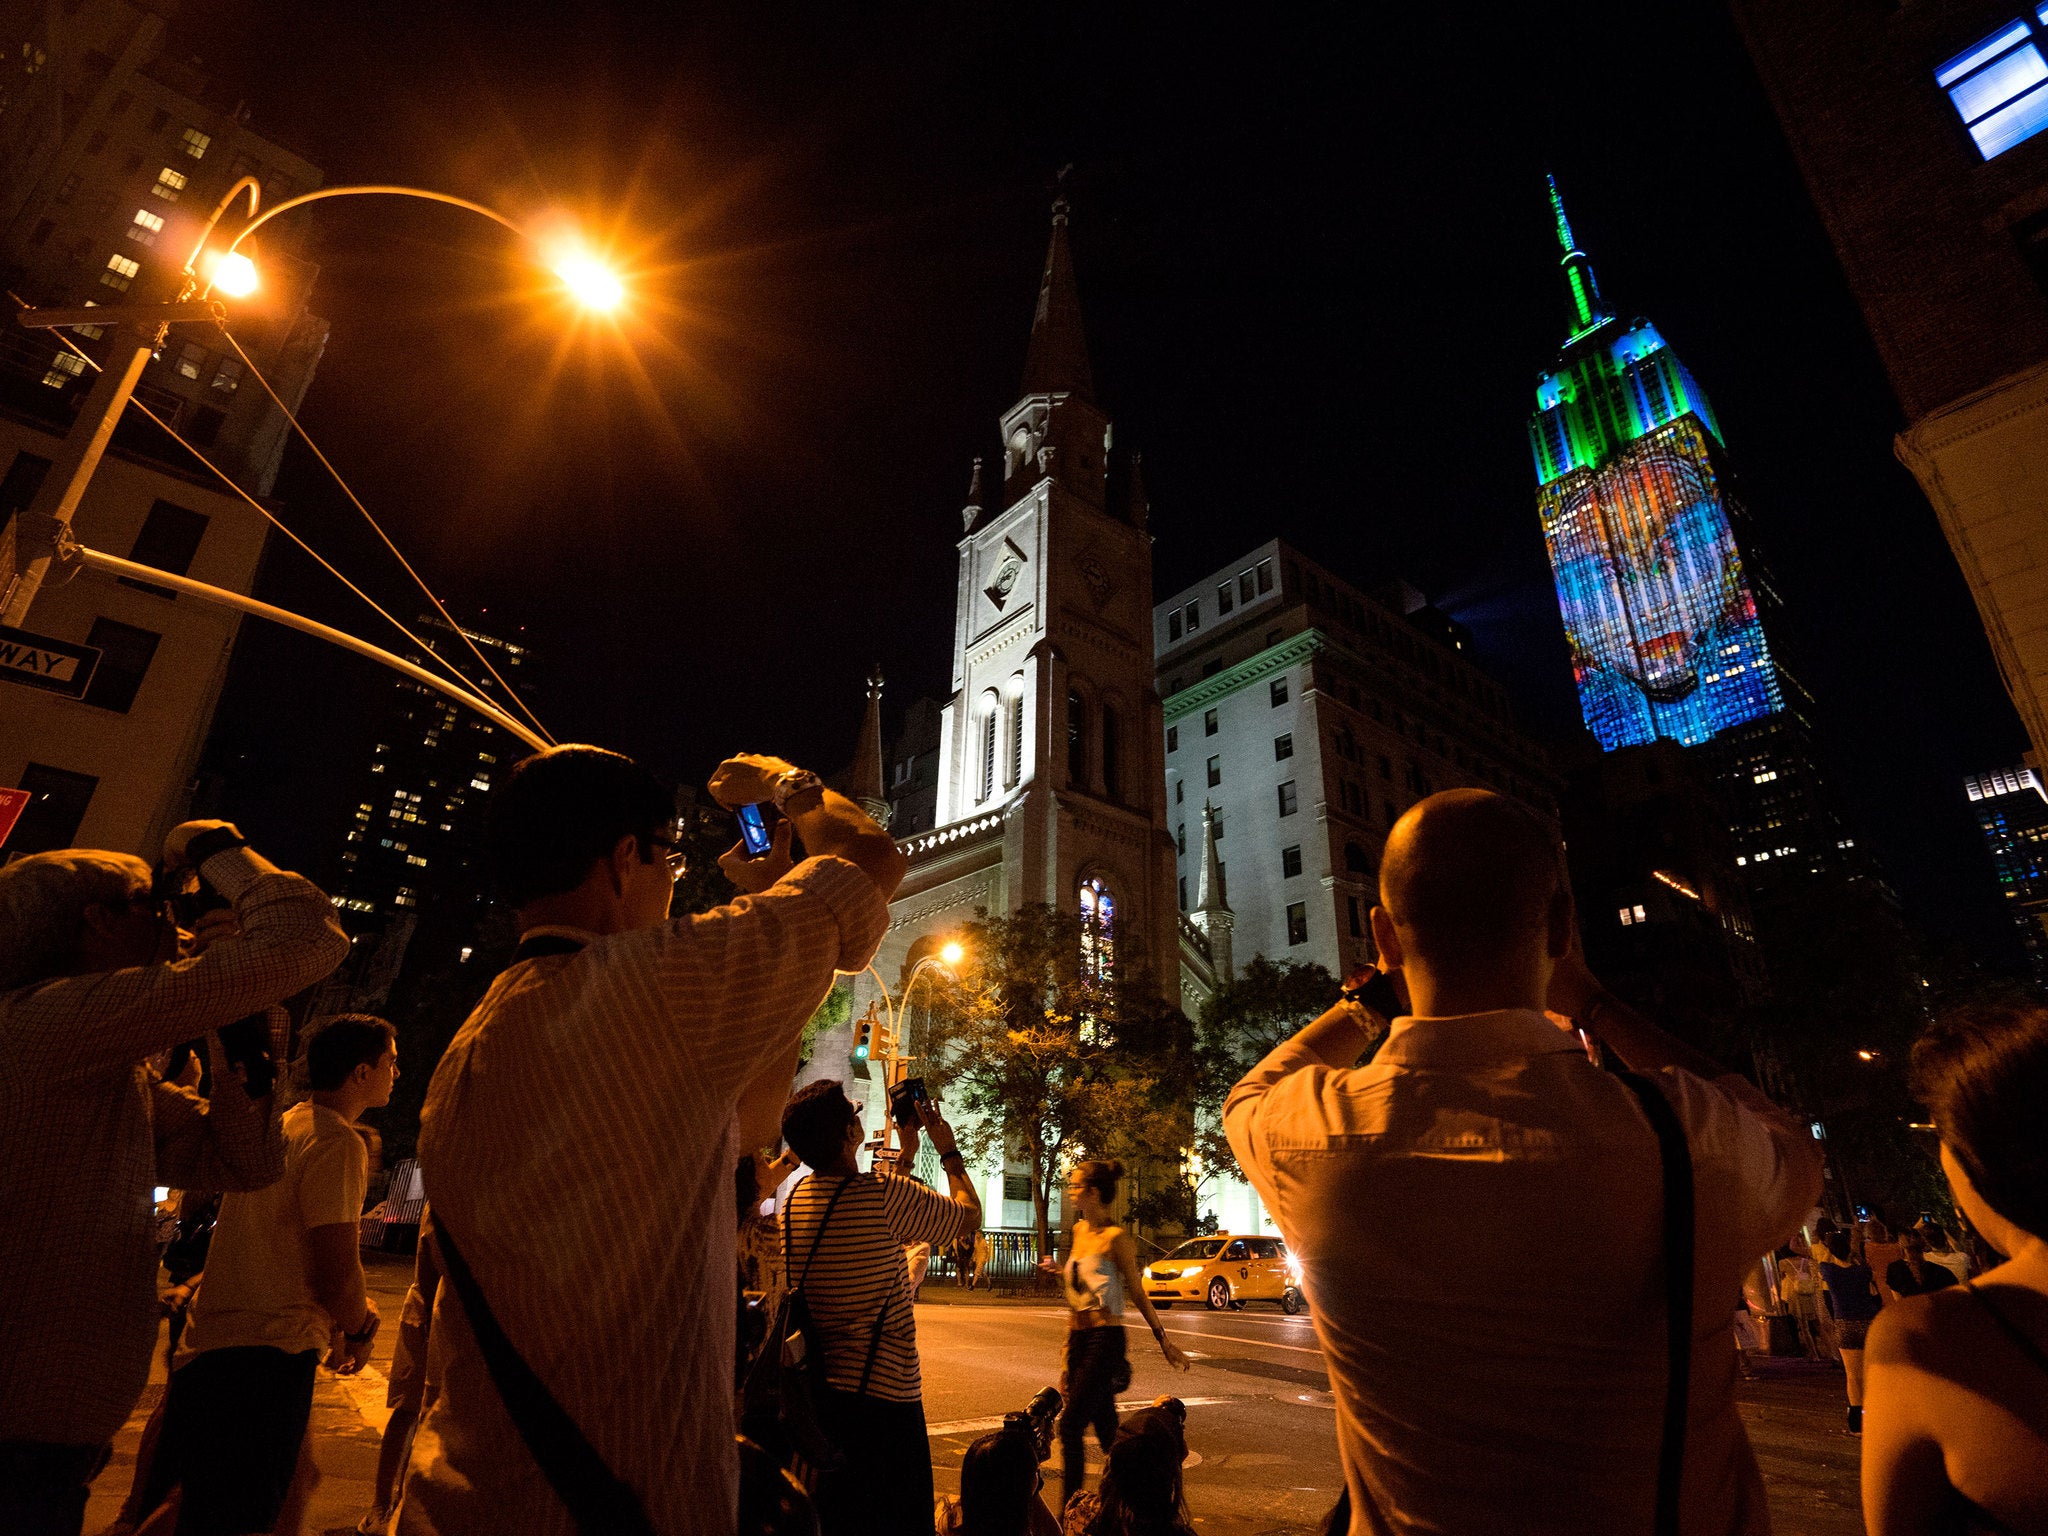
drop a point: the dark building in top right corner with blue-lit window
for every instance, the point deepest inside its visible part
(1920, 134)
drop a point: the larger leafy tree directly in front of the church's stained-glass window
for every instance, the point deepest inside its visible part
(1048, 1062)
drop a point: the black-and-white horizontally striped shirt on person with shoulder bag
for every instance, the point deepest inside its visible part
(861, 1273)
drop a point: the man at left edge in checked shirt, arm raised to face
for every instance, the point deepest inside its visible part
(95, 978)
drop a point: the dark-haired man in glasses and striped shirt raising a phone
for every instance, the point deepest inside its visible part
(581, 1138)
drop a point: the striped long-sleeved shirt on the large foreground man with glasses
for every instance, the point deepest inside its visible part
(581, 1146)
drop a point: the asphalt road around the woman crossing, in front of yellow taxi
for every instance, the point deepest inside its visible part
(1261, 1422)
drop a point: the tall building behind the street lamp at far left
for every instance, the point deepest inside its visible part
(114, 151)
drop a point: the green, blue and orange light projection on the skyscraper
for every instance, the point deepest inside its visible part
(1662, 622)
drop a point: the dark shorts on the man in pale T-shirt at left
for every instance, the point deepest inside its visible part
(232, 1431)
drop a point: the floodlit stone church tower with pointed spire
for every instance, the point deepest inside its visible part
(1052, 781)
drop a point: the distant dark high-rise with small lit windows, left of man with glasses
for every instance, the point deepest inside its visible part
(411, 871)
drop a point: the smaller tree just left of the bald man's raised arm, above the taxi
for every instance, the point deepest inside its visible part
(1242, 1023)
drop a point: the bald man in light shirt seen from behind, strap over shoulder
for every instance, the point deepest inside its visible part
(1480, 1209)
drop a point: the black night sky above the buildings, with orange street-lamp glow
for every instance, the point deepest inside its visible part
(1320, 284)
